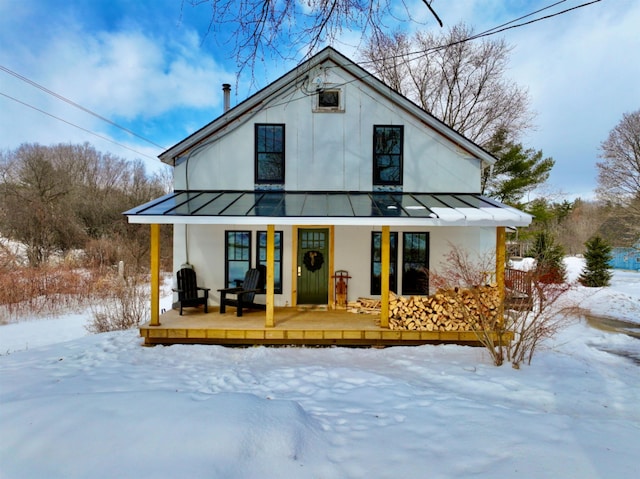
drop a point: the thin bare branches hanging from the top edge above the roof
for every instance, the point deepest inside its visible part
(291, 28)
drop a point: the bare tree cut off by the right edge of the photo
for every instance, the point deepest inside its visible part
(619, 172)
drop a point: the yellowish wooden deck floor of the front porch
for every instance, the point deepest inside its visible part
(292, 327)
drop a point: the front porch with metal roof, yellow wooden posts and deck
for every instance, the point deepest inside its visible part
(347, 221)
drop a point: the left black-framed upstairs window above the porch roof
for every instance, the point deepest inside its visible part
(269, 167)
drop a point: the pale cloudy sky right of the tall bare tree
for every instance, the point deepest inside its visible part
(580, 68)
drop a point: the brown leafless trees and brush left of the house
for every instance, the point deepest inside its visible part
(63, 198)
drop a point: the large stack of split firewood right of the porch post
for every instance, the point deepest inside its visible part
(450, 310)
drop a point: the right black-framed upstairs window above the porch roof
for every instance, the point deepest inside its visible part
(387, 154)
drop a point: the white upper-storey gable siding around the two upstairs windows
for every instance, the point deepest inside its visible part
(331, 151)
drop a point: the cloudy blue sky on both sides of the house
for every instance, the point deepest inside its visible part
(149, 66)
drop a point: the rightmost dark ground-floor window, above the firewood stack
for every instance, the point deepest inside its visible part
(415, 263)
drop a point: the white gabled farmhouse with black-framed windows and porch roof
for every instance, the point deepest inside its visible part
(326, 169)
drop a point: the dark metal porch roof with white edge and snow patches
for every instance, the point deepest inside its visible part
(327, 208)
